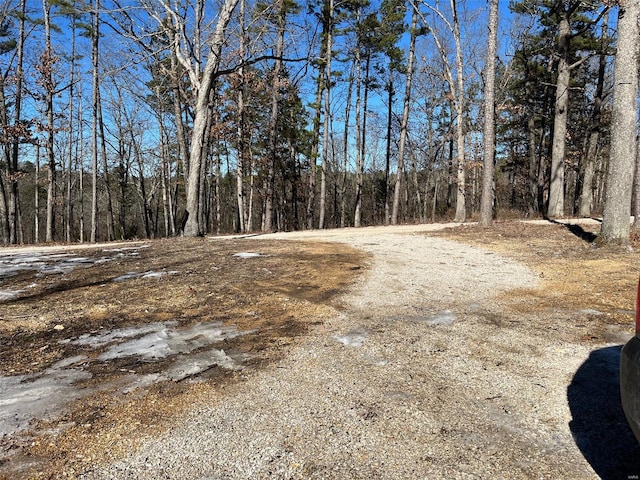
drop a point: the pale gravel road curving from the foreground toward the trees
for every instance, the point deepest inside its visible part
(424, 373)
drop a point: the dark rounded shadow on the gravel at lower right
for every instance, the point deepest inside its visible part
(598, 424)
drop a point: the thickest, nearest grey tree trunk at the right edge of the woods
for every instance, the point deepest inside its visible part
(622, 158)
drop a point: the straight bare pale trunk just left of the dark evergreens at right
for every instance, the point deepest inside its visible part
(489, 132)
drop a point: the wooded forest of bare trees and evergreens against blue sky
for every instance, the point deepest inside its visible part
(126, 119)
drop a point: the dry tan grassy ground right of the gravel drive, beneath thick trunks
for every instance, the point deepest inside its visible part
(575, 274)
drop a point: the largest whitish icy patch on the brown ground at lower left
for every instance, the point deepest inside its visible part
(46, 395)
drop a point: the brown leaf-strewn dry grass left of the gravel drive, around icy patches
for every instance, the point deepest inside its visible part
(279, 294)
